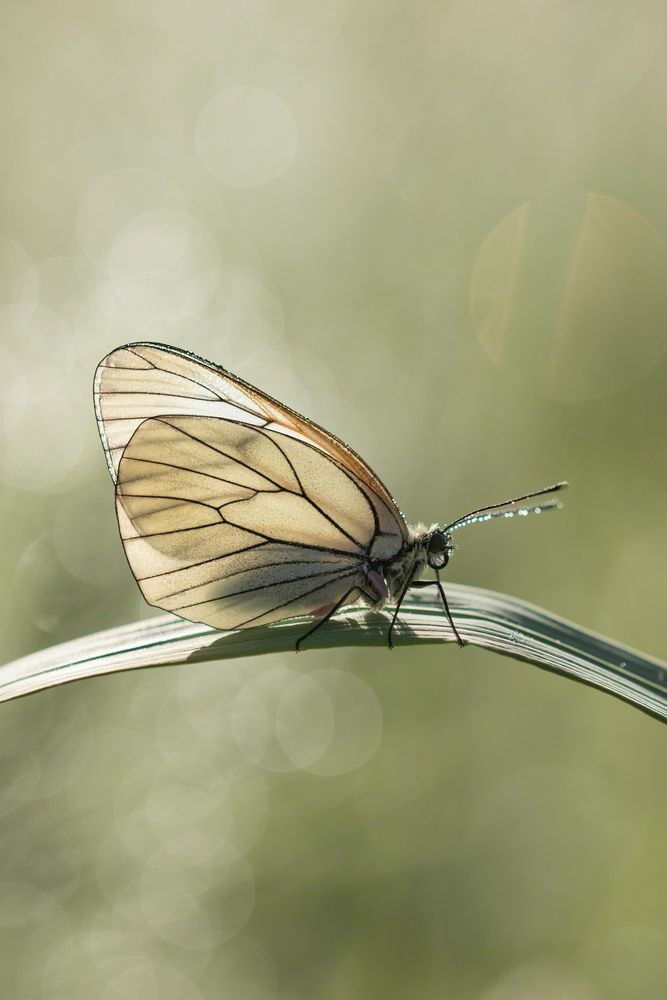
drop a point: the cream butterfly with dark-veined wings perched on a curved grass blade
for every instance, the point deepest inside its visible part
(236, 511)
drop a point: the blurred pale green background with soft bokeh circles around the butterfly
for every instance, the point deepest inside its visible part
(440, 230)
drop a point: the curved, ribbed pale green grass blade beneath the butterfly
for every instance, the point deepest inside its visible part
(493, 621)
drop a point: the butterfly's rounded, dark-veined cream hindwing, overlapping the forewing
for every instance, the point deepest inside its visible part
(236, 525)
